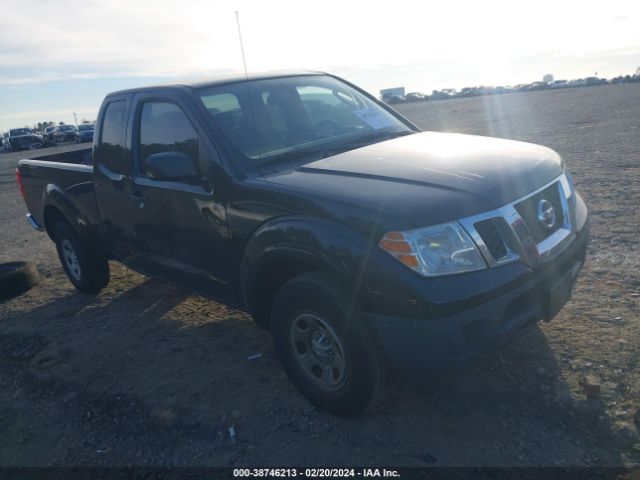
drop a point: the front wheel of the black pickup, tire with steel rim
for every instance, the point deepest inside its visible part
(315, 295)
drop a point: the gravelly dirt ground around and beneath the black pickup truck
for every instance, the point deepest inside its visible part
(149, 374)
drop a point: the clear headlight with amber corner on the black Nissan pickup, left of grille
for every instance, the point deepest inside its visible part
(432, 251)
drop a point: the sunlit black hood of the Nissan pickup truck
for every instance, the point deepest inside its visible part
(429, 176)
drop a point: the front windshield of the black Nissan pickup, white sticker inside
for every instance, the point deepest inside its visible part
(297, 117)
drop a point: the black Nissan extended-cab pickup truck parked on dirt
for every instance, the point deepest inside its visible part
(369, 249)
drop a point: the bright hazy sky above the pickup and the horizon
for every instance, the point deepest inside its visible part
(62, 56)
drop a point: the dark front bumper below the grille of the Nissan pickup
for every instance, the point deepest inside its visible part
(419, 348)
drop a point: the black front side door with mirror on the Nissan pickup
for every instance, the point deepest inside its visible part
(180, 223)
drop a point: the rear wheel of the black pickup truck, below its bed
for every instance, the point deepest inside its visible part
(88, 271)
